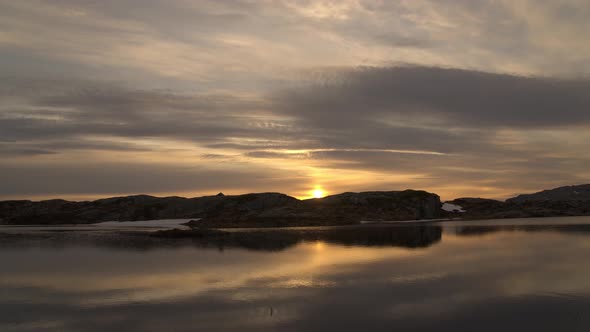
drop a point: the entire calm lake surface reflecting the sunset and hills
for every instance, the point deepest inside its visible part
(517, 275)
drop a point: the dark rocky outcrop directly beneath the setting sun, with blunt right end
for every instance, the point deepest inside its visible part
(346, 208)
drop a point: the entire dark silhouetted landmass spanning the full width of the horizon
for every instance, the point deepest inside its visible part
(279, 210)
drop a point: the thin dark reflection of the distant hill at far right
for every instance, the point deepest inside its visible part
(474, 230)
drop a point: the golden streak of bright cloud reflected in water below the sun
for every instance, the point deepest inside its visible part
(137, 282)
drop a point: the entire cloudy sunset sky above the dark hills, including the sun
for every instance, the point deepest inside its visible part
(464, 98)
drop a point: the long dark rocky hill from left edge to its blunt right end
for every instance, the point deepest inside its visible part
(264, 209)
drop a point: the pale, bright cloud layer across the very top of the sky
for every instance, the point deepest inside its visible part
(246, 45)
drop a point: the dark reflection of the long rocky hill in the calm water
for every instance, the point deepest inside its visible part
(264, 240)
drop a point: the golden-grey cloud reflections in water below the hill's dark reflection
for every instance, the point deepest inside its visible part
(306, 286)
